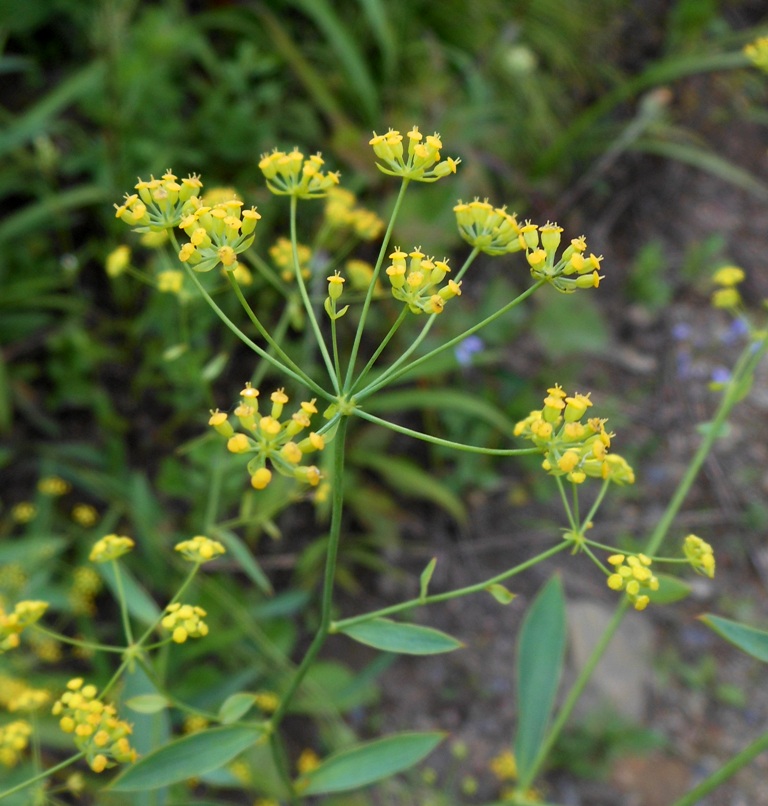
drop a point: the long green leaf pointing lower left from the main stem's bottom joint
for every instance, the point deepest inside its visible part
(188, 757)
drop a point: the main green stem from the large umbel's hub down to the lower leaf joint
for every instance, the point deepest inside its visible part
(334, 538)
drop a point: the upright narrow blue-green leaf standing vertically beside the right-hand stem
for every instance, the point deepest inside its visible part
(540, 653)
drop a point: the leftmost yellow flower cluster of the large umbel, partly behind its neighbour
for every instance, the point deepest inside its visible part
(159, 203)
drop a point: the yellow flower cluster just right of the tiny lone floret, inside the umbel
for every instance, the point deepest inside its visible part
(415, 280)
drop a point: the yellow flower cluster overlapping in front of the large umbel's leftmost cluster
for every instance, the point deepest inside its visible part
(217, 234)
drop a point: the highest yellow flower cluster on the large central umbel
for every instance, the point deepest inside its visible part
(422, 163)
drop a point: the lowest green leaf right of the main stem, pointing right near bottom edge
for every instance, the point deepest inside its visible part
(366, 763)
